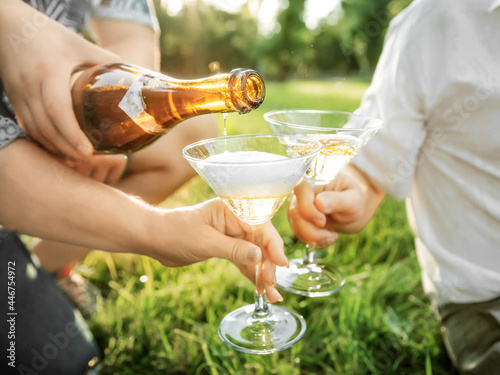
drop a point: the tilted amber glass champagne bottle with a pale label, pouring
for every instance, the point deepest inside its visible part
(123, 108)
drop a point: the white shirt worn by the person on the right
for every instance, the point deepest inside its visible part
(437, 90)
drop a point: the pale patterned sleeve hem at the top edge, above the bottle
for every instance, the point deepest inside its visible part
(139, 11)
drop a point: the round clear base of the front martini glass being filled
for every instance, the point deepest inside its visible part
(253, 332)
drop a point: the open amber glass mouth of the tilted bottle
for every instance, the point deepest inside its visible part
(248, 89)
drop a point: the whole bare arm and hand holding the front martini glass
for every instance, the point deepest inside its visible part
(43, 198)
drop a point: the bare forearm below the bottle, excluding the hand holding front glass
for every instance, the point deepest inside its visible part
(43, 198)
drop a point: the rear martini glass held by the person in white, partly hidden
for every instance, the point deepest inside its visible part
(342, 135)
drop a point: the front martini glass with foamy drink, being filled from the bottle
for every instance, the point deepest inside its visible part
(253, 175)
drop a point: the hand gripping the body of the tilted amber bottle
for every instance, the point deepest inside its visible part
(36, 69)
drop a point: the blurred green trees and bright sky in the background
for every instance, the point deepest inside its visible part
(276, 37)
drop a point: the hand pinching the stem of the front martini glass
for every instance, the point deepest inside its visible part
(210, 229)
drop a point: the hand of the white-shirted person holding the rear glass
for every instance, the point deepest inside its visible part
(315, 213)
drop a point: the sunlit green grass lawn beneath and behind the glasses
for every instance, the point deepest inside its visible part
(380, 323)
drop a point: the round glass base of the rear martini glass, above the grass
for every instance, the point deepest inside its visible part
(310, 280)
